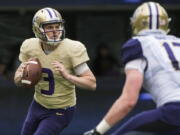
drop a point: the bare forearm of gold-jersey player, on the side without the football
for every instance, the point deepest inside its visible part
(87, 82)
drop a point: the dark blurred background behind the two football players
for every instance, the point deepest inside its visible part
(102, 25)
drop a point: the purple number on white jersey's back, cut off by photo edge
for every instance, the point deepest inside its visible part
(168, 47)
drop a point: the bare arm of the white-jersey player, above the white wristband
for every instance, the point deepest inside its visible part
(128, 99)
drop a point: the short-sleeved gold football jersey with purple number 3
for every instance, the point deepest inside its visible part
(53, 91)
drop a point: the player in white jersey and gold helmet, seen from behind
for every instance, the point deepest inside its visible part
(151, 59)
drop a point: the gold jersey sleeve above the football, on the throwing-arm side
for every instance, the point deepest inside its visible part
(23, 56)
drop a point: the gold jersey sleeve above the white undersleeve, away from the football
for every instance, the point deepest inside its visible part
(78, 54)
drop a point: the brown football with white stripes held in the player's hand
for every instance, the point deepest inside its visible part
(32, 73)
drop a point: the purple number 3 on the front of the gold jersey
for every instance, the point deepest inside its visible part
(50, 79)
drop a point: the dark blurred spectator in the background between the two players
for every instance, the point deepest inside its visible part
(105, 64)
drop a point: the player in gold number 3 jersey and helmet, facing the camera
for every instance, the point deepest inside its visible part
(64, 66)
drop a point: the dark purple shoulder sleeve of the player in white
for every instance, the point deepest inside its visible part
(131, 50)
